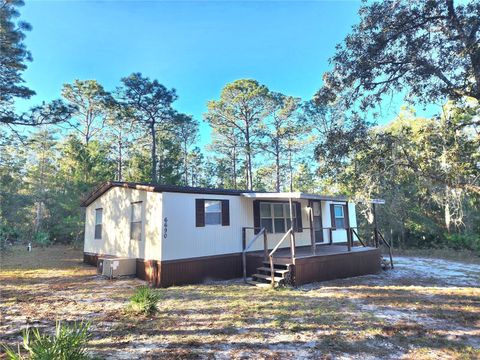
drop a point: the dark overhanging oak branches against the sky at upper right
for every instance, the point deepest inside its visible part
(388, 52)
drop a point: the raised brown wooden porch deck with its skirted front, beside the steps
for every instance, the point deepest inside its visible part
(329, 262)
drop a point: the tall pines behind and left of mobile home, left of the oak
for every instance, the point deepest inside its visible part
(133, 133)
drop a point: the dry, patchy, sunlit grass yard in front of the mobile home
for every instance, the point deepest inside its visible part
(379, 316)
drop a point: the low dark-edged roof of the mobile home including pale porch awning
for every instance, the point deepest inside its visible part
(100, 190)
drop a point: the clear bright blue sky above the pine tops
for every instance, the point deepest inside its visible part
(196, 47)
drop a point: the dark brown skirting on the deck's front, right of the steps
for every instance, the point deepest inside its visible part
(337, 266)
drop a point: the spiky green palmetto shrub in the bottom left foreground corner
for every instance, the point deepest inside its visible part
(68, 343)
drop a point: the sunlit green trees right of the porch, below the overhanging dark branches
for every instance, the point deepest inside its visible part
(425, 169)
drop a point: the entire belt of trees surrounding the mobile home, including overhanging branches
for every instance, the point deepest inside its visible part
(427, 170)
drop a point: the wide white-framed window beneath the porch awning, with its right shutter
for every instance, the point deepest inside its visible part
(275, 217)
